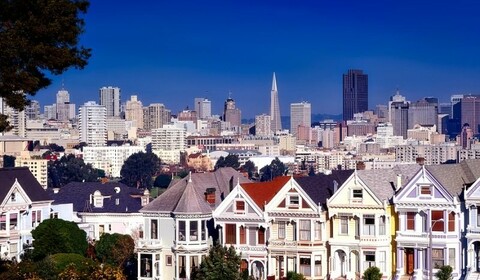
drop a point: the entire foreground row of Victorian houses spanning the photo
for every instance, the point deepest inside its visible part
(407, 221)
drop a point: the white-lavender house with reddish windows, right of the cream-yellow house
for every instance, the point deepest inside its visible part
(430, 221)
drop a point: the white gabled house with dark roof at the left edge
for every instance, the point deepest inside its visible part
(24, 205)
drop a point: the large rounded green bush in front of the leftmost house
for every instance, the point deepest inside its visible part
(54, 236)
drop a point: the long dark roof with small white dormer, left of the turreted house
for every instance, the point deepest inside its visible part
(79, 195)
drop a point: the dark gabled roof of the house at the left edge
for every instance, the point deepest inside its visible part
(25, 178)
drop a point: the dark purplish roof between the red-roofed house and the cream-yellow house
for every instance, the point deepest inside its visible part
(320, 186)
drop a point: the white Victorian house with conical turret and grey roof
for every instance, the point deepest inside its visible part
(178, 225)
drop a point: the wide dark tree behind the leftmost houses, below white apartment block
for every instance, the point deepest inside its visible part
(70, 169)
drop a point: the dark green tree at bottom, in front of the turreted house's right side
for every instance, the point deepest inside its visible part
(221, 263)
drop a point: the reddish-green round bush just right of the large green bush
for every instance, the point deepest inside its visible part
(115, 249)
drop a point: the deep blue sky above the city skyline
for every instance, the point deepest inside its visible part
(173, 51)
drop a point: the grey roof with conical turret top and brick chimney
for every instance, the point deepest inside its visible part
(222, 180)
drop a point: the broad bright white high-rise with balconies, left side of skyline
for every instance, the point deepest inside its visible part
(92, 124)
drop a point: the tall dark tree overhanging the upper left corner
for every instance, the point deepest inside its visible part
(38, 39)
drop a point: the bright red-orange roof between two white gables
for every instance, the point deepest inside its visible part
(263, 192)
